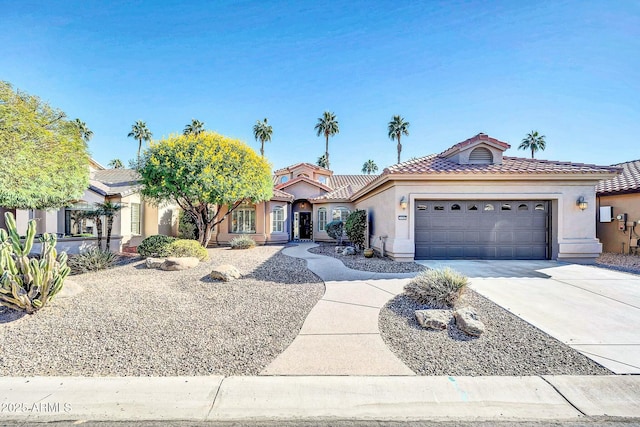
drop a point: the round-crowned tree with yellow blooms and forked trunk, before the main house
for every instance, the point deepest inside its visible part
(205, 175)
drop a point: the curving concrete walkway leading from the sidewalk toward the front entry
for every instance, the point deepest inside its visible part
(340, 336)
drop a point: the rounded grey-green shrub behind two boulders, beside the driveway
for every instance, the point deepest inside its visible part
(437, 288)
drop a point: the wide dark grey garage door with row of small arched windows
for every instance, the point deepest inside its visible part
(482, 229)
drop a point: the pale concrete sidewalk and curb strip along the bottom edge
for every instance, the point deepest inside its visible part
(215, 398)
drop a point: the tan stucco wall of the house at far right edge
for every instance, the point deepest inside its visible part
(613, 239)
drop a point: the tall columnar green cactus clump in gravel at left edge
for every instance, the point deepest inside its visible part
(28, 284)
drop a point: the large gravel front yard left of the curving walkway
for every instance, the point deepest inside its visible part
(131, 320)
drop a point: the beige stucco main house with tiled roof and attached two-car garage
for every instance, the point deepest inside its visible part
(469, 201)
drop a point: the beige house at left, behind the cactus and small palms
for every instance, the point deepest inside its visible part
(136, 220)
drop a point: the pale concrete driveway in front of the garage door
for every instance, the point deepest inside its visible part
(593, 310)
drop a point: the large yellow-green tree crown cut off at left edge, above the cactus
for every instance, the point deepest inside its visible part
(44, 163)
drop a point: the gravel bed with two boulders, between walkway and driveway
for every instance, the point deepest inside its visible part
(510, 346)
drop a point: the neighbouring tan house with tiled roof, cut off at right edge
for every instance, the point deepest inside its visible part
(619, 196)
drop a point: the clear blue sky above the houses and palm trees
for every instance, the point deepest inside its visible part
(568, 69)
